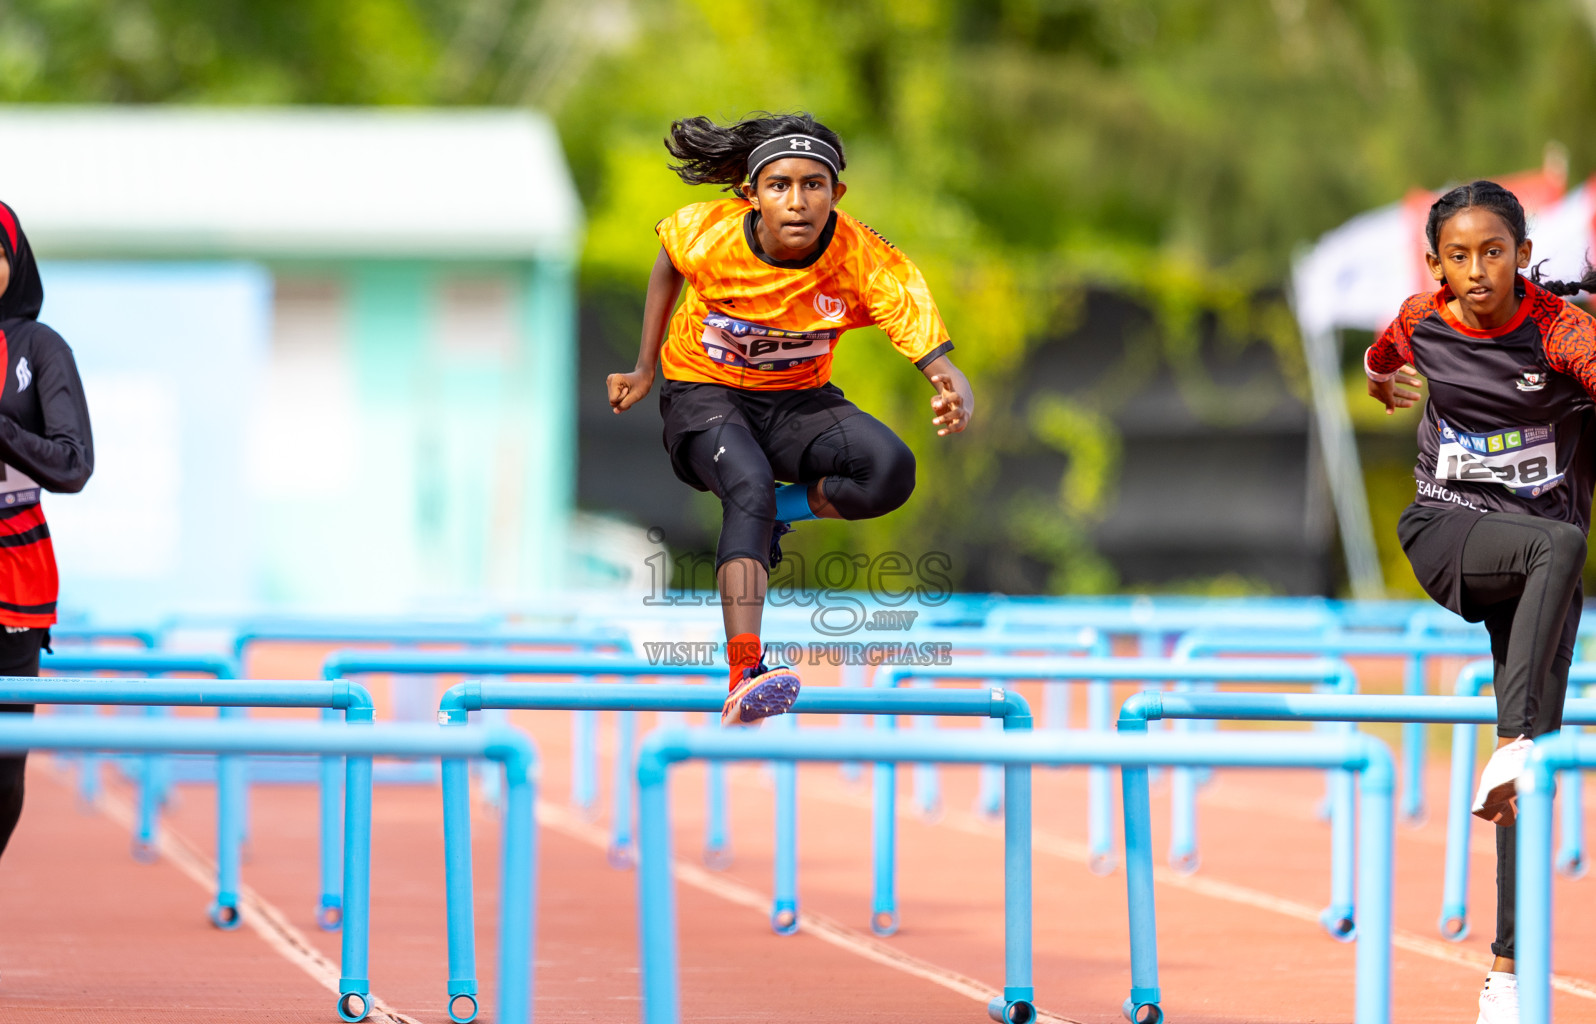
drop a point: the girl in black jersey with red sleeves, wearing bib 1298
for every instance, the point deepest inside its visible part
(1507, 463)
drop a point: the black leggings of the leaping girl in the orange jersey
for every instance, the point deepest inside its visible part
(869, 471)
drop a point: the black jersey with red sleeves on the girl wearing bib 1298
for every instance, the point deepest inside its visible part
(1511, 423)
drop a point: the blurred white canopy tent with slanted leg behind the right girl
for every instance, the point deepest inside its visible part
(1359, 277)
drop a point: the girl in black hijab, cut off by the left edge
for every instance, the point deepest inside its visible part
(44, 446)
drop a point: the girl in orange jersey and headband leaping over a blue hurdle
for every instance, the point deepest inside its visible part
(775, 277)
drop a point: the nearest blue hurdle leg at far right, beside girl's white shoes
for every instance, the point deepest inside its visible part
(1533, 915)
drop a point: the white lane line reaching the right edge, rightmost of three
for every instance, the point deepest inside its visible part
(1072, 851)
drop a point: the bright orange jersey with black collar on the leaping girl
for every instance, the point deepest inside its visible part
(764, 325)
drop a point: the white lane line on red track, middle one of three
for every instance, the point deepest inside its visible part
(818, 926)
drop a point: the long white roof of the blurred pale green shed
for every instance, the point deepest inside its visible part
(288, 183)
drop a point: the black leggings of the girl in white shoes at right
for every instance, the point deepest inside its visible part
(1525, 572)
